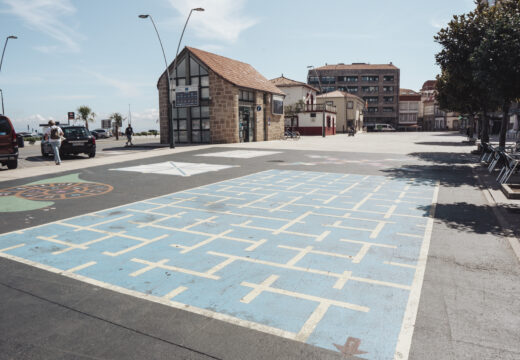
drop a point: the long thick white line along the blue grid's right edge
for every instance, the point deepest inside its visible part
(404, 341)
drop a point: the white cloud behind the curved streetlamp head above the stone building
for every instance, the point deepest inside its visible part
(222, 20)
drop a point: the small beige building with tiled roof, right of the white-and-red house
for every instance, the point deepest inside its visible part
(349, 108)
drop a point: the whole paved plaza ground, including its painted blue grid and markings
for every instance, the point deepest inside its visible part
(311, 249)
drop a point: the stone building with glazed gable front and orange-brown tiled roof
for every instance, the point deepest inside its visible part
(218, 100)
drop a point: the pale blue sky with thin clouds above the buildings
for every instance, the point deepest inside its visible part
(98, 53)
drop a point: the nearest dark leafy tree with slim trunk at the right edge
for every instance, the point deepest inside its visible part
(496, 59)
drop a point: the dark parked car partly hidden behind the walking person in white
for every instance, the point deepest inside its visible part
(78, 140)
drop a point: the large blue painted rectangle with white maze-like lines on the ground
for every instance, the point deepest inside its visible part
(251, 220)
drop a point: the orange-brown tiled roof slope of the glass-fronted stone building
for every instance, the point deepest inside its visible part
(236, 72)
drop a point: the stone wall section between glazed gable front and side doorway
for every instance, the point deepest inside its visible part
(223, 110)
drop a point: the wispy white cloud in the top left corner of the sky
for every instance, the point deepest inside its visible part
(47, 16)
